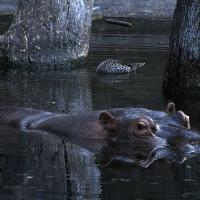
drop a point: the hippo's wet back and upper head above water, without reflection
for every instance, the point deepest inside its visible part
(126, 124)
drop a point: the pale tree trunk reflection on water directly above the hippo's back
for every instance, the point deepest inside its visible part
(62, 91)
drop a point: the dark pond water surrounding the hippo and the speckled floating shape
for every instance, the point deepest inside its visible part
(39, 166)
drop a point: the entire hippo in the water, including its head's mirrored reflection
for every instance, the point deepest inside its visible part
(129, 135)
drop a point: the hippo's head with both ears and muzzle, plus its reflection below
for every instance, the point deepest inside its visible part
(143, 137)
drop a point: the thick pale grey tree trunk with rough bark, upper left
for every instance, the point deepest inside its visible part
(44, 32)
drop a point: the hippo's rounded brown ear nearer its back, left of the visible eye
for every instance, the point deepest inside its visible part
(107, 121)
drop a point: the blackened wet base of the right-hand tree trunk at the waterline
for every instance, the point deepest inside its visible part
(183, 82)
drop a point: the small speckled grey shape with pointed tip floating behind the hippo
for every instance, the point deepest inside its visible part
(114, 66)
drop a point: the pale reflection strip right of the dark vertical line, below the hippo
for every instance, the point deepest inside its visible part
(84, 176)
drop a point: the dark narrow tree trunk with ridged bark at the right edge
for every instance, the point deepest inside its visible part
(182, 74)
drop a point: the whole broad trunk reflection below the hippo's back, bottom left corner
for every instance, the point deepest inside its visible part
(43, 166)
